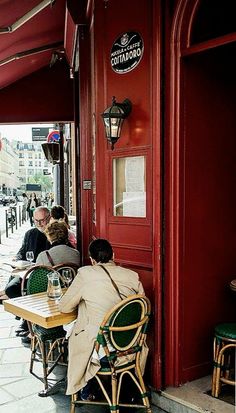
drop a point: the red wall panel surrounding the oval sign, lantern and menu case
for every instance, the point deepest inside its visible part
(131, 238)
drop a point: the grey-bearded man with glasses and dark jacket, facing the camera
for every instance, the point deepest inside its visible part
(36, 241)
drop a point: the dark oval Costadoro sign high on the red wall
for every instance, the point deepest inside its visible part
(126, 52)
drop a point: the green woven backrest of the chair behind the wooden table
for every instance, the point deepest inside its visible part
(37, 280)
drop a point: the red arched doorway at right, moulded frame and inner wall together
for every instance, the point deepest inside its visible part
(201, 228)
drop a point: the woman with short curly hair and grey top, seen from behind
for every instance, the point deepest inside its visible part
(61, 250)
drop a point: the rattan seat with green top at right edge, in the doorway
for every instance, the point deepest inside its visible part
(224, 357)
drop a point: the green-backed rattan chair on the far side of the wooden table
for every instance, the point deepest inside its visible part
(48, 341)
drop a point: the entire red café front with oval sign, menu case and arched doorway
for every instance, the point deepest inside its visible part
(164, 196)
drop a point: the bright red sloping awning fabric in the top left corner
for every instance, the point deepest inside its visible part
(44, 29)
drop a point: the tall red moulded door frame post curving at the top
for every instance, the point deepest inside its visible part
(180, 38)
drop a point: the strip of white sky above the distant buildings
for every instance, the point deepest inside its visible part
(20, 132)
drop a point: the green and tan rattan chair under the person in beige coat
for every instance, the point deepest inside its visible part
(123, 328)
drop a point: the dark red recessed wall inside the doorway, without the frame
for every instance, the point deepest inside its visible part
(209, 203)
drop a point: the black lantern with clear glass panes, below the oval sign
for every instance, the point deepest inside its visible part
(113, 118)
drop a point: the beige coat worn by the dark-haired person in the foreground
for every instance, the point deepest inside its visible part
(94, 295)
